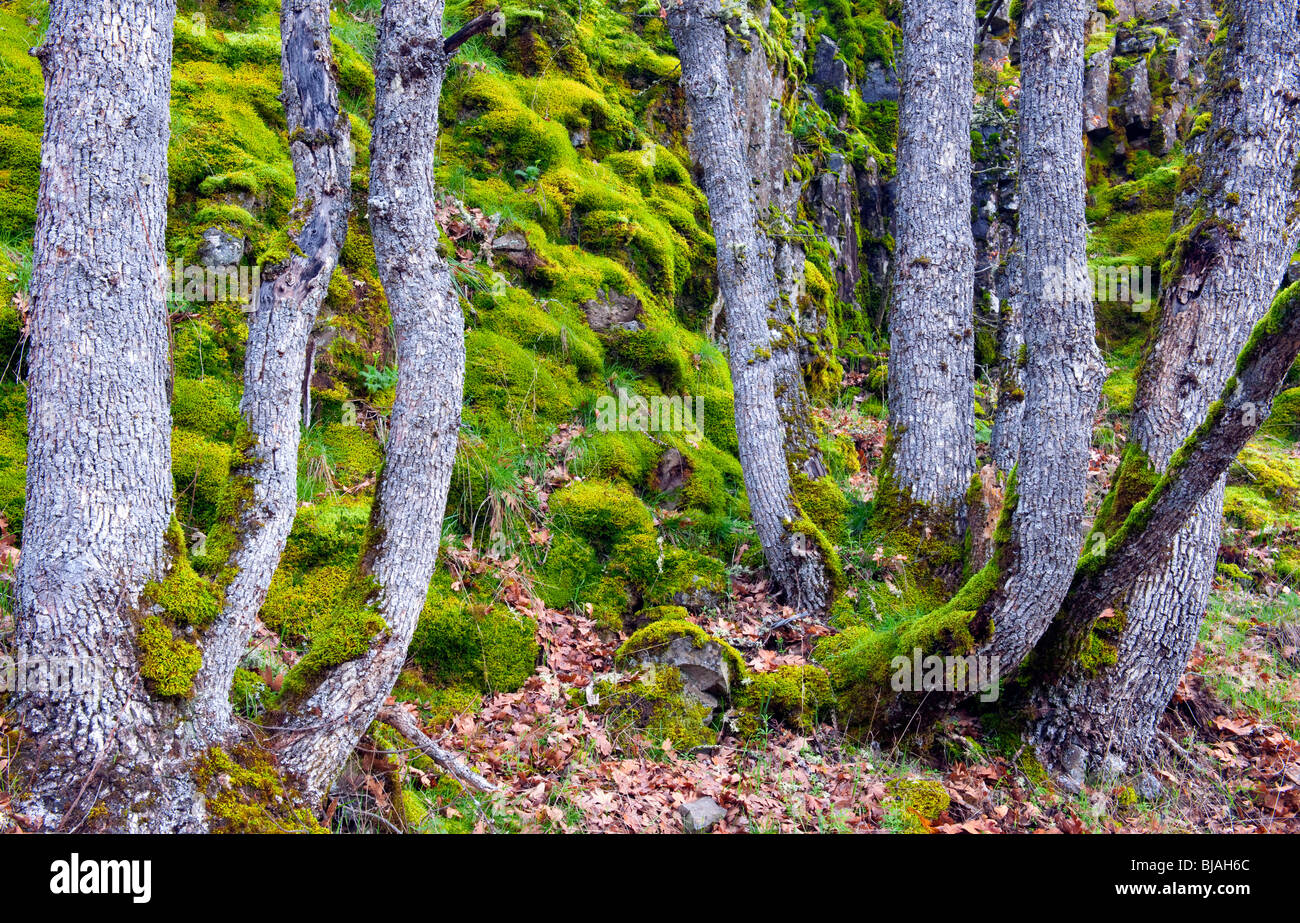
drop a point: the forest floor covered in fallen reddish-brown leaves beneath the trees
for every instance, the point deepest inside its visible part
(1227, 759)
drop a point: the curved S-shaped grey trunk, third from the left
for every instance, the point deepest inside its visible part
(430, 333)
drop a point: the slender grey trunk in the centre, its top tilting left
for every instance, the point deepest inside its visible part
(748, 284)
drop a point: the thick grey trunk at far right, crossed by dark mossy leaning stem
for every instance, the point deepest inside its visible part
(1238, 227)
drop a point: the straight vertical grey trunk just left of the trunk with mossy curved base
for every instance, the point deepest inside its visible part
(931, 339)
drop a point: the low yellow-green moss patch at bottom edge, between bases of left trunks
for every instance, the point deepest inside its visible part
(245, 794)
